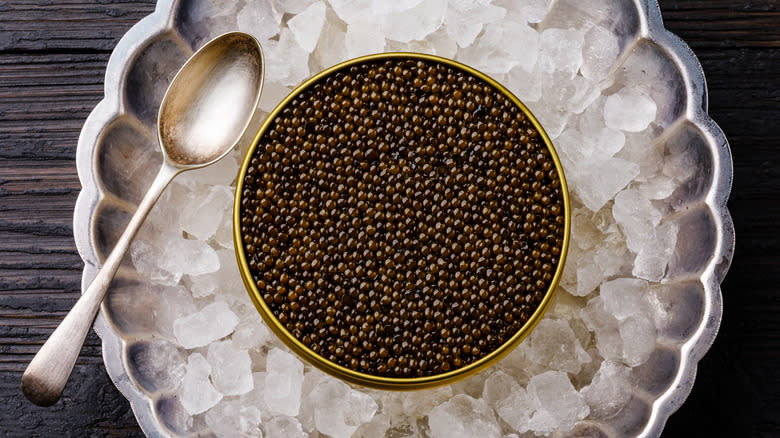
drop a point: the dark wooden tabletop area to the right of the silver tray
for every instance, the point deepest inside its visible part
(737, 389)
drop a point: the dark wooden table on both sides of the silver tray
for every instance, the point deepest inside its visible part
(52, 61)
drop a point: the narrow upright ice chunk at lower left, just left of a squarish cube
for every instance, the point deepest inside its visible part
(196, 392)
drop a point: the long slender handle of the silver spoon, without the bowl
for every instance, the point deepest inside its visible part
(45, 377)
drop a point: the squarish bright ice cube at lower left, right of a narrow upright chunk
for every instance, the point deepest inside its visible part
(231, 368)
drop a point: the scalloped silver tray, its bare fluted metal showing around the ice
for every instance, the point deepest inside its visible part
(117, 148)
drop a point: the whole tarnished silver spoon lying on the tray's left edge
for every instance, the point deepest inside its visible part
(204, 113)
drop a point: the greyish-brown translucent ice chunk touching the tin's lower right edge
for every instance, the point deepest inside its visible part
(554, 345)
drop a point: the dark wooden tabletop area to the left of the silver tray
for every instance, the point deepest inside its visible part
(52, 61)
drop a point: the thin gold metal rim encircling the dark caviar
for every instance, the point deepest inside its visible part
(371, 380)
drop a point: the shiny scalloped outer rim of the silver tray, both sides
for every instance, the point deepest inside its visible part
(651, 29)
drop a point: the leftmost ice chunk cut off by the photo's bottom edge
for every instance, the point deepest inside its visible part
(231, 419)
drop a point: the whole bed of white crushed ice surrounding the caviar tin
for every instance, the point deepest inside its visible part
(238, 380)
